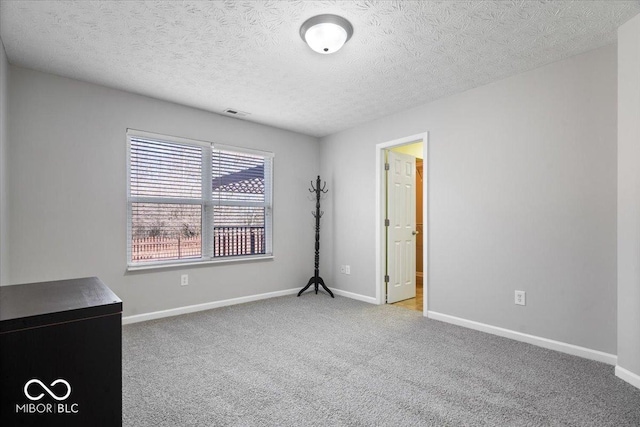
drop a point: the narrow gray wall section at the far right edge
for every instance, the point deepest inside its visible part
(629, 196)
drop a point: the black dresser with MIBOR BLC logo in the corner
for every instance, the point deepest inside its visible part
(60, 354)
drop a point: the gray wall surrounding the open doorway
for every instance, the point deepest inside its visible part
(522, 195)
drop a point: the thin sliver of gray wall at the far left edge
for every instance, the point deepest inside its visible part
(4, 88)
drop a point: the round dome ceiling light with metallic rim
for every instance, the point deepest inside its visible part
(326, 33)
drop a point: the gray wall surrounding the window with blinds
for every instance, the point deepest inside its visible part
(67, 192)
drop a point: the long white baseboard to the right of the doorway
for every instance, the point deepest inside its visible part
(574, 350)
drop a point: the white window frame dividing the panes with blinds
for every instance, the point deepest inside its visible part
(206, 202)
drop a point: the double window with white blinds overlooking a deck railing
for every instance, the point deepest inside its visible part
(191, 201)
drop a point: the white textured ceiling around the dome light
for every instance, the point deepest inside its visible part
(248, 55)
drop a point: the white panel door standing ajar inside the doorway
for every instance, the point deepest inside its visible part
(401, 232)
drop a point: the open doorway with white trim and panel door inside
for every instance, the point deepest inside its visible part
(402, 168)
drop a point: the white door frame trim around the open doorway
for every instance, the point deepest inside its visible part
(379, 224)
